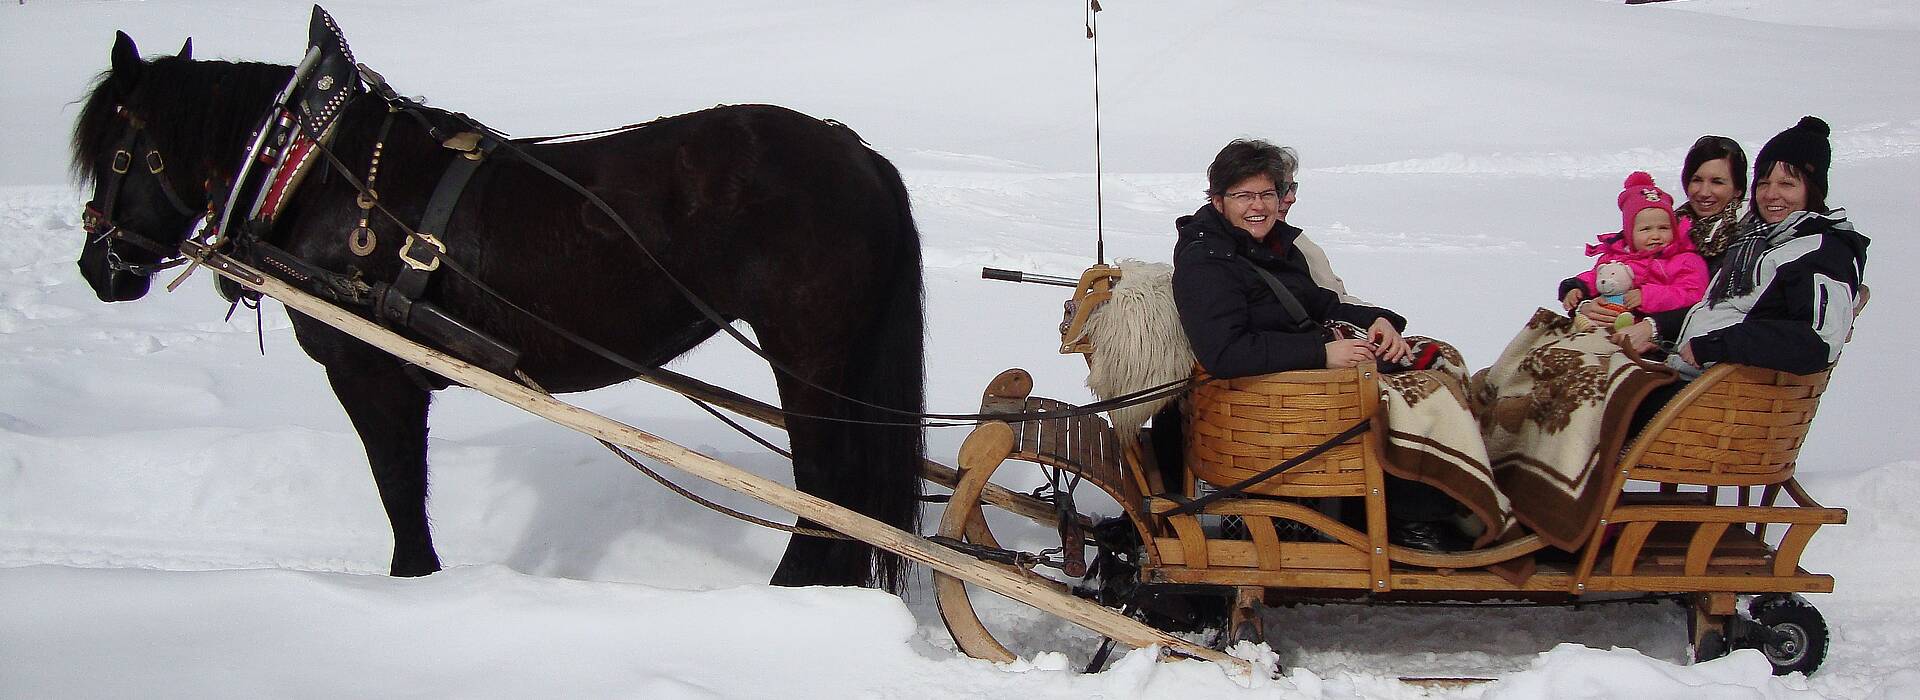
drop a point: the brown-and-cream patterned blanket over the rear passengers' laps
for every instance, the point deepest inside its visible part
(1554, 413)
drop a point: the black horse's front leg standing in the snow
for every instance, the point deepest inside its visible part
(391, 415)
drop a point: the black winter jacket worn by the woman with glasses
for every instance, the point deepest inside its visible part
(1234, 321)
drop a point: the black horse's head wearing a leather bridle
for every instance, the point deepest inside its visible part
(147, 191)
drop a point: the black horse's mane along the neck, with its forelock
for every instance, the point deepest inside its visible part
(199, 110)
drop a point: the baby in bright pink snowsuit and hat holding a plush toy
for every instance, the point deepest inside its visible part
(1654, 245)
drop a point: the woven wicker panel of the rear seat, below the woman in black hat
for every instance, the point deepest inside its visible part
(1748, 429)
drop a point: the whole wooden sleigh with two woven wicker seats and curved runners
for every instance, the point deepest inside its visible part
(1666, 528)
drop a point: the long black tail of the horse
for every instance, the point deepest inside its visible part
(890, 371)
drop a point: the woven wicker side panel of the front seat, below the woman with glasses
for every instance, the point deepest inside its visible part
(1237, 429)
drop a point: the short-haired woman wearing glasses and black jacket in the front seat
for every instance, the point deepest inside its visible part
(1243, 289)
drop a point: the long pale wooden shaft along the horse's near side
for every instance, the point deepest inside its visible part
(805, 505)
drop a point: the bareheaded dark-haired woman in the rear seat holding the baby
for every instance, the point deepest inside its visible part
(1716, 177)
